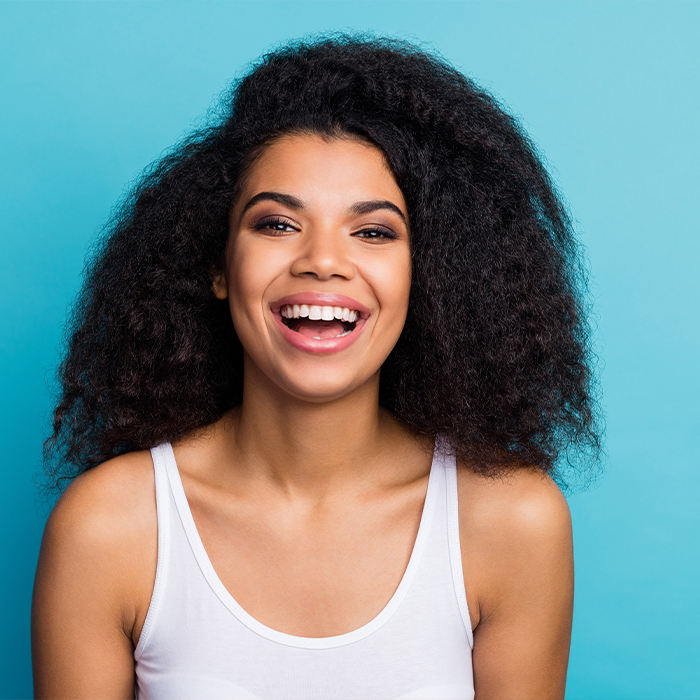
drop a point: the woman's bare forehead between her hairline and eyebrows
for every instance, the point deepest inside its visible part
(324, 170)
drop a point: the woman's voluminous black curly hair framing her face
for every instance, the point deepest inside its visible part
(495, 353)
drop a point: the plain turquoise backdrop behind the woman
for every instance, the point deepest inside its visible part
(92, 92)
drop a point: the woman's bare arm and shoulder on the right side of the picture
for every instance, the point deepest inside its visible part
(518, 562)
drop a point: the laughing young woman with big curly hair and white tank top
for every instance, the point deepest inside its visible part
(320, 377)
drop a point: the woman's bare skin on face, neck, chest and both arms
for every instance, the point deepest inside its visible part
(308, 496)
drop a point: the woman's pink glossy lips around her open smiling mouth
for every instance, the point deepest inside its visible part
(325, 345)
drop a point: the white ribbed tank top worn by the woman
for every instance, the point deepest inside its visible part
(197, 641)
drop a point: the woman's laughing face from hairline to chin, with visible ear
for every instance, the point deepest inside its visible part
(318, 268)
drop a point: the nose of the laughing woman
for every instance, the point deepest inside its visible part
(323, 255)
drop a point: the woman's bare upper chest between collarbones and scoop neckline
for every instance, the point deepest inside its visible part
(310, 574)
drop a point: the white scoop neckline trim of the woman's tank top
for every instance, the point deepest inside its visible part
(284, 638)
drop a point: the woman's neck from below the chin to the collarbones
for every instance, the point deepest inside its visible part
(306, 448)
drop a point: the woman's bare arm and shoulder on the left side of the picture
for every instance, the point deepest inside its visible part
(89, 589)
